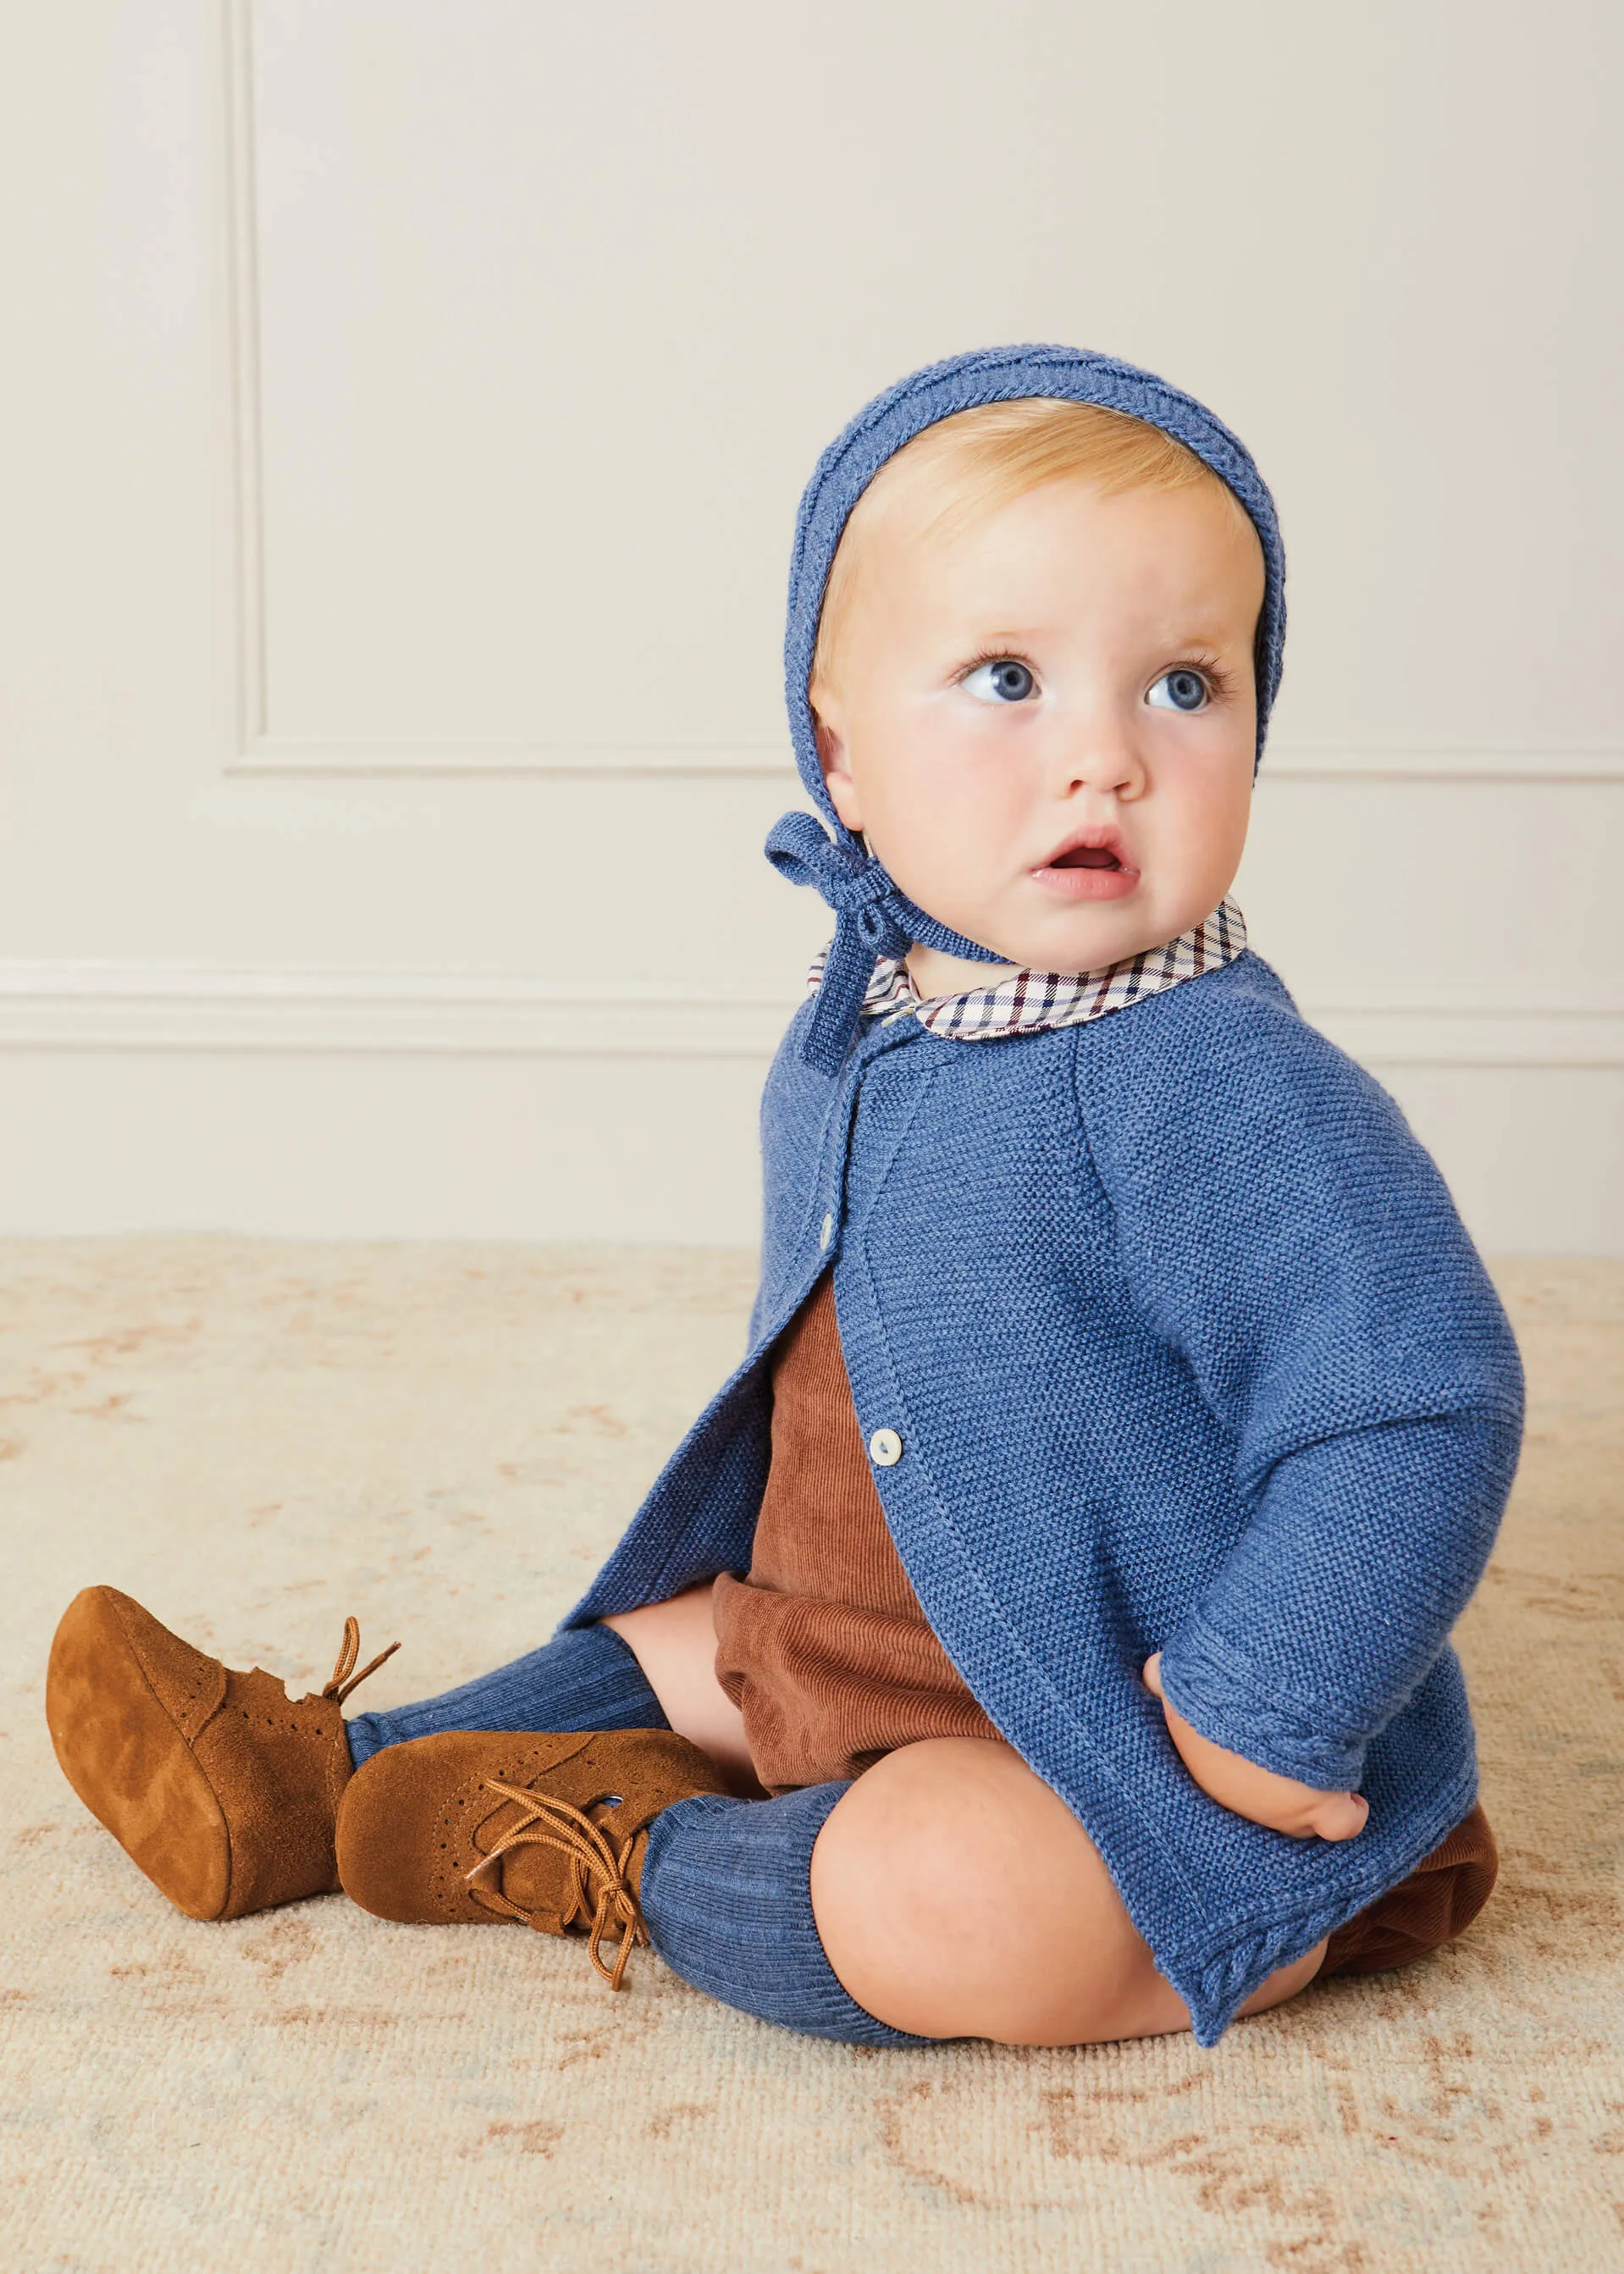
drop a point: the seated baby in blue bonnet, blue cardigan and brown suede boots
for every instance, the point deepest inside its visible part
(1043, 1636)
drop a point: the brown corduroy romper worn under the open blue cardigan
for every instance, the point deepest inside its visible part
(831, 1661)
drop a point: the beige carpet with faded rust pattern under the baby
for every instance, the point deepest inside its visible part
(445, 1441)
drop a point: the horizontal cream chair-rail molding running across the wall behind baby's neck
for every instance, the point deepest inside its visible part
(458, 1015)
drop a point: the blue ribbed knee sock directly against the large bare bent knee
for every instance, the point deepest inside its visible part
(729, 1907)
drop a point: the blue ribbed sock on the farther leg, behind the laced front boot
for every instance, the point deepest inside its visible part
(581, 1679)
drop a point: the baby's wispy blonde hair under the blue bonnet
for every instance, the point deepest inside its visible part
(984, 460)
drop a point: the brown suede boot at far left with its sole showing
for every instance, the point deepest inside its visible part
(215, 1784)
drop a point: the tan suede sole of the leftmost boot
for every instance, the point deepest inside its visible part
(129, 1761)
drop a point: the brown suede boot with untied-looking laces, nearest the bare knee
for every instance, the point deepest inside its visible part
(486, 1825)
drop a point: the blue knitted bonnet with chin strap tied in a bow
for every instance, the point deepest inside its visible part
(872, 913)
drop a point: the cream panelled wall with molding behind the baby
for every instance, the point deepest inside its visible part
(406, 413)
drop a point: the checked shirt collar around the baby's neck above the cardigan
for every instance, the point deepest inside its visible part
(1031, 1002)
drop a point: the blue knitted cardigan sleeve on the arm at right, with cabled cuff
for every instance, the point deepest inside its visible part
(1284, 1231)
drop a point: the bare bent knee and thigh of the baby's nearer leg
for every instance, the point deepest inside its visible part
(959, 1898)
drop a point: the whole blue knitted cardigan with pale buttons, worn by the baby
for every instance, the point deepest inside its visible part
(1186, 1350)
